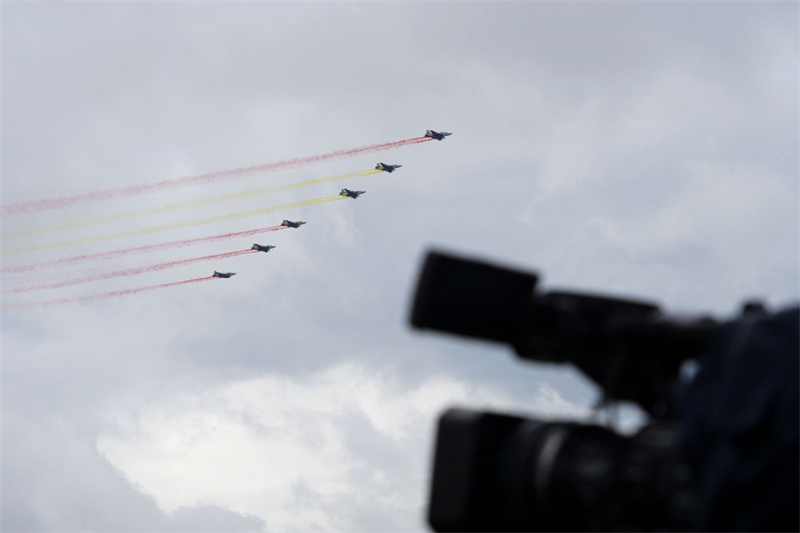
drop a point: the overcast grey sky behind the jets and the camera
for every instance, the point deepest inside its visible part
(644, 150)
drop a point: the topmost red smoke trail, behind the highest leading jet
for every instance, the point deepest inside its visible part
(63, 201)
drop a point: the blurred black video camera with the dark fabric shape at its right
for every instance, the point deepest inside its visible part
(720, 451)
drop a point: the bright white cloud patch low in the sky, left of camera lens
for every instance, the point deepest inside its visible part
(301, 453)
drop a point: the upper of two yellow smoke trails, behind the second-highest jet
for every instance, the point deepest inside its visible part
(188, 204)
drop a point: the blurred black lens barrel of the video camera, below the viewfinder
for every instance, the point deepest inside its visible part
(496, 472)
